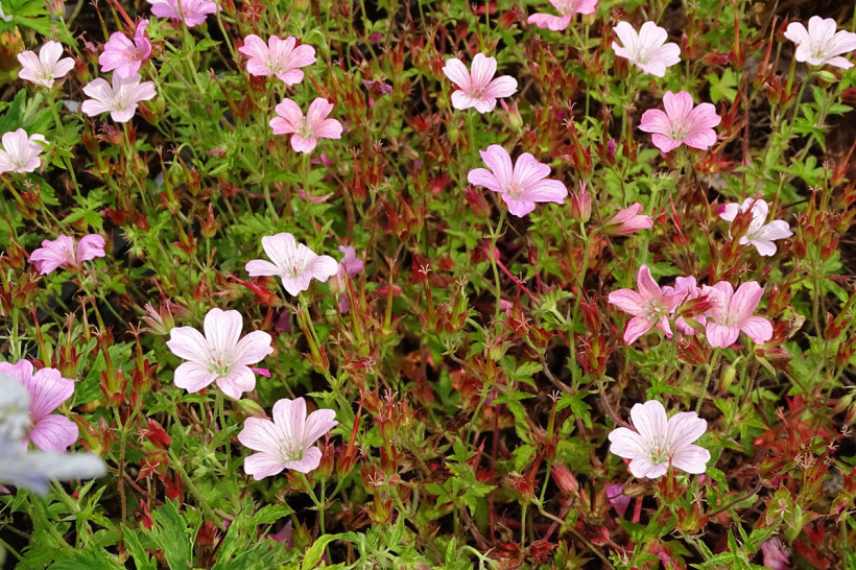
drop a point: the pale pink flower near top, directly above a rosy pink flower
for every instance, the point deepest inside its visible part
(647, 49)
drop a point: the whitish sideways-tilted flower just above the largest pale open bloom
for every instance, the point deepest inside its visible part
(293, 262)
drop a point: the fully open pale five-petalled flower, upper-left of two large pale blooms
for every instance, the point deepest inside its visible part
(220, 356)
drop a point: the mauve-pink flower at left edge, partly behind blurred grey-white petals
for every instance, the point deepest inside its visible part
(48, 390)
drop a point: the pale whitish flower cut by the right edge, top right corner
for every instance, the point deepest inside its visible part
(821, 44)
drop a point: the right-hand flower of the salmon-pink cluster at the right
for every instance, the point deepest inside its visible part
(731, 312)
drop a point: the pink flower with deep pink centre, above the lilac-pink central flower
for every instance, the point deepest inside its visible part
(478, 88)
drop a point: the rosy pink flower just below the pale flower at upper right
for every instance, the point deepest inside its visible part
(681, 123)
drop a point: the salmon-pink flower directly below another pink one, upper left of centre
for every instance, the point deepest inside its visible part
(305, 131)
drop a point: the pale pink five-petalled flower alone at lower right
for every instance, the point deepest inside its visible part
(659, 441)
